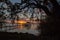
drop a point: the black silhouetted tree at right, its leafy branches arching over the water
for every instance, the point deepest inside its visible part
(52, 22)
